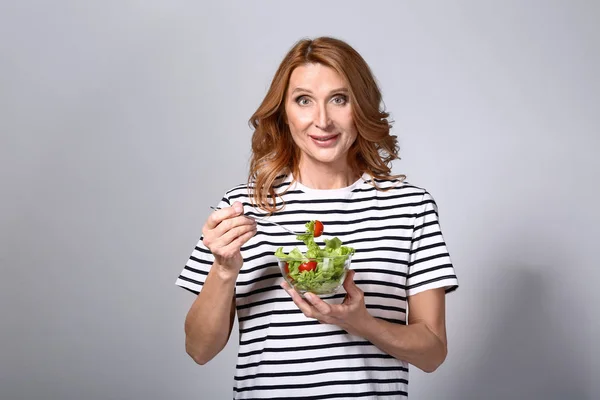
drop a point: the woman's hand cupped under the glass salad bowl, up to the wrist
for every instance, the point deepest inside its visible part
(351, 315)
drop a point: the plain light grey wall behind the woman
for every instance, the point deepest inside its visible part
(122, 121)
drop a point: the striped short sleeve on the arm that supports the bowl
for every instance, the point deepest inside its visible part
(430, 265)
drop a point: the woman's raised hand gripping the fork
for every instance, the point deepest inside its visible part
(225, 231)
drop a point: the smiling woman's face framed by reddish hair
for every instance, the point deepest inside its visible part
(319, 115)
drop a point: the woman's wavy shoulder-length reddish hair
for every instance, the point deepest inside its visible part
(274, 153)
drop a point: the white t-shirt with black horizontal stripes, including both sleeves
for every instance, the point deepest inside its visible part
(400, 251)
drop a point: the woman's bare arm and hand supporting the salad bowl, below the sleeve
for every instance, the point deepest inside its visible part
(422, 342)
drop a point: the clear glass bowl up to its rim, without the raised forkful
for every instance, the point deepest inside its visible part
(322, 276)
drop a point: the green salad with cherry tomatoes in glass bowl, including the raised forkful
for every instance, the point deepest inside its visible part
(319, 270)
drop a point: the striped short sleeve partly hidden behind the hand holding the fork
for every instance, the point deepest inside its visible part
(196, 268)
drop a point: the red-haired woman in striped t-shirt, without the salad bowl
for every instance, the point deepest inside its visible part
(321, 150)
